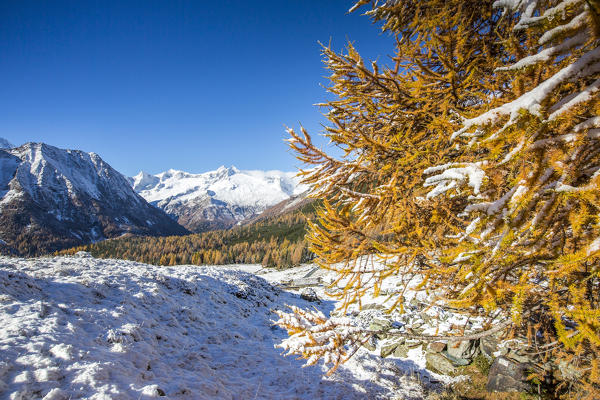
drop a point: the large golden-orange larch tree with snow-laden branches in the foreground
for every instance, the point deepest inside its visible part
(473, 165)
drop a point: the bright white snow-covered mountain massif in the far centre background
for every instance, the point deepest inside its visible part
(216, 199)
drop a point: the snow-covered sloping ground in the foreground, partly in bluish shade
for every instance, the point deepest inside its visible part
(79, 327)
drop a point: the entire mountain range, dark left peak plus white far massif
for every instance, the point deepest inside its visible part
(52, 198)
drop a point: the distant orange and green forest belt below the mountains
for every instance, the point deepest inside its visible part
(276, 241)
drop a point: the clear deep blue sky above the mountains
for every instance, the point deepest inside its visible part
(188, 85)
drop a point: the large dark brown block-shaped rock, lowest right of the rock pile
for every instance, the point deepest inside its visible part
(507, 376)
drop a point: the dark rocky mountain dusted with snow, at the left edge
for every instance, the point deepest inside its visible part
(52, 198)
